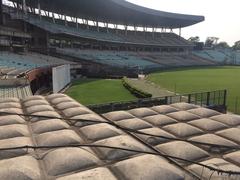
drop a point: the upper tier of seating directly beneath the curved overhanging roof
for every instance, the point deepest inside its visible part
(165, 39)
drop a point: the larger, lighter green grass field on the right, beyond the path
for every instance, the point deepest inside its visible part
(204, 79)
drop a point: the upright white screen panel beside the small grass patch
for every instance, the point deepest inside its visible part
(61, 77)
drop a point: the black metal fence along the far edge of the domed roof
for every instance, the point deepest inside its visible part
(214, 100)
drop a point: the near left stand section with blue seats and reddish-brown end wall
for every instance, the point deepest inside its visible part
(22, 74)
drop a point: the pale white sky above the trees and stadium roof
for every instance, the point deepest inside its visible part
(222, 17)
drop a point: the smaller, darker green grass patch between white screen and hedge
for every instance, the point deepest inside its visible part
(95, 91)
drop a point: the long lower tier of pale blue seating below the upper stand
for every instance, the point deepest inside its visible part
(132, 59)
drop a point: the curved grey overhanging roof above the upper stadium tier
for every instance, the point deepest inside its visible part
(116, 12)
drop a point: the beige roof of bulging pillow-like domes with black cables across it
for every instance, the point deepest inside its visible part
(51, 141)
